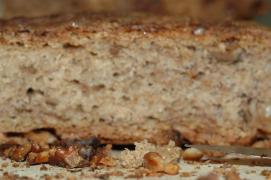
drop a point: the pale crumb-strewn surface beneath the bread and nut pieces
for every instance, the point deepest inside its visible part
(195, 170)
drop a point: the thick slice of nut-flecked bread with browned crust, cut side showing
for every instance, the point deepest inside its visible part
(129, 78)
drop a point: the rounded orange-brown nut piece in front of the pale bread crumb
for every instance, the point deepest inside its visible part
(153, 161)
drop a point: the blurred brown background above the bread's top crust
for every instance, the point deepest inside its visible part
(208, 10)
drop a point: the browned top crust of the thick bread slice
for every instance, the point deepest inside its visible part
(69, 28)
